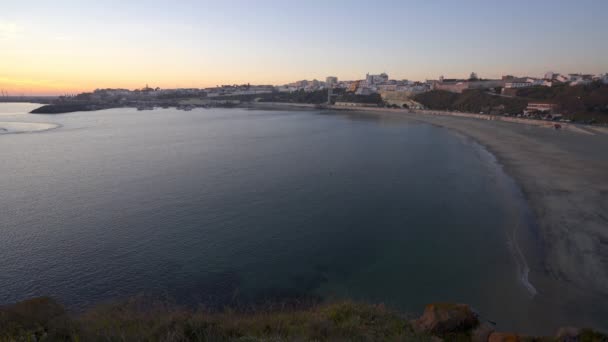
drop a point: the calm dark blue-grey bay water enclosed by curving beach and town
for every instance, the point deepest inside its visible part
(231, 204)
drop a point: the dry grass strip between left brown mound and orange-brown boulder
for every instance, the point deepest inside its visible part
(345, 321)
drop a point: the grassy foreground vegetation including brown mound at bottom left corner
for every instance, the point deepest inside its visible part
(43, 319)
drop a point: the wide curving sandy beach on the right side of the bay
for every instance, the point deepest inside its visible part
(563, 175)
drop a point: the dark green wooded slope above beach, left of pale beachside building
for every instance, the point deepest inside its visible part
(473, 101)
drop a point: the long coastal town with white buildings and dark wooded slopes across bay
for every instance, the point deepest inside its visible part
(582, 98)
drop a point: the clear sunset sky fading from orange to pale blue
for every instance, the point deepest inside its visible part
(60, 46)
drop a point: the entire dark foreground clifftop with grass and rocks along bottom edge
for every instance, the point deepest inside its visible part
(43, 319)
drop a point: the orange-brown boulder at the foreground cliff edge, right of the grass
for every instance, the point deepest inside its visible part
(443, 318)
